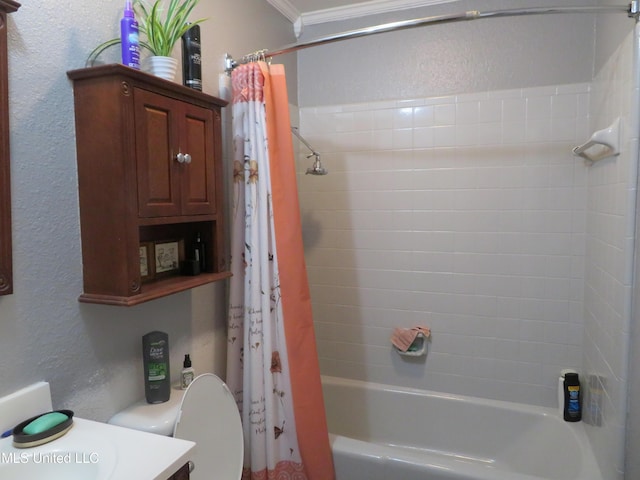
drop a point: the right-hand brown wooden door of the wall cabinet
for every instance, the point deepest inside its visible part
(198, 177)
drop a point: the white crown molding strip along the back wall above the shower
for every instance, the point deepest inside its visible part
(372, 7)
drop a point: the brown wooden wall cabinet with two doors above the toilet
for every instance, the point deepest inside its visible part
(149, 170)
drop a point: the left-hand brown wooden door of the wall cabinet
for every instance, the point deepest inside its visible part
(156, 150)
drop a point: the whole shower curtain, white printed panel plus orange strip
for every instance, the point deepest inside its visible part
(272, 363)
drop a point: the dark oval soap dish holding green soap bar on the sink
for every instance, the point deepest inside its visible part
(42, 428)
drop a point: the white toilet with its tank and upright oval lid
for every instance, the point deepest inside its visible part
(205, 413)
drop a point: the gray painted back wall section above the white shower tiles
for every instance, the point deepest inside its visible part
(447, 59)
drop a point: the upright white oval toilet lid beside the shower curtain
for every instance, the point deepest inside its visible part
(208, 415)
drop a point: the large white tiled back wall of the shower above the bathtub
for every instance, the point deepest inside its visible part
(463, 213)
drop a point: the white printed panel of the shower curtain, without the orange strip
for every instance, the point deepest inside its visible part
(258, 369)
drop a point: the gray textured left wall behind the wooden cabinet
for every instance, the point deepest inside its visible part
(89, 353)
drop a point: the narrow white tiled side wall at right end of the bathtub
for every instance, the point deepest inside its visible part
(611, 197)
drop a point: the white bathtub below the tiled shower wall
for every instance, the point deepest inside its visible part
(380, 432)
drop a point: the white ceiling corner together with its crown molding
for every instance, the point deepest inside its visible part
(309, 12)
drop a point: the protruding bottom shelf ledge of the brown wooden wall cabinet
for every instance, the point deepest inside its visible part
(151, 291)
